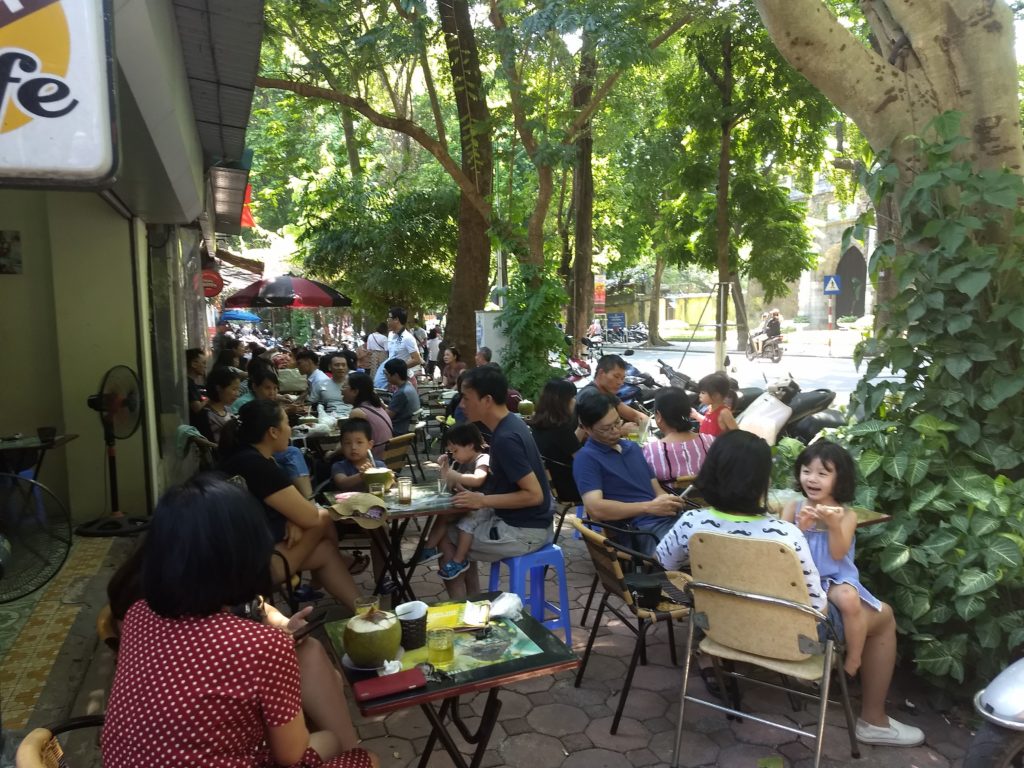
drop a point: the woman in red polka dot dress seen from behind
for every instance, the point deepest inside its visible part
(196, 685)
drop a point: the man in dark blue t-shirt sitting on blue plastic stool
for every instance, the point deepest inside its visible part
(514, 515)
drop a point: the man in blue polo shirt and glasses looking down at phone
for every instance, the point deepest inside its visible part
(615, 481)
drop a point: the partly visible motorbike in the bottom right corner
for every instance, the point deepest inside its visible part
(1000, 741)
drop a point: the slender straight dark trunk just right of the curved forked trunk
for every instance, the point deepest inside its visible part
(583, 198)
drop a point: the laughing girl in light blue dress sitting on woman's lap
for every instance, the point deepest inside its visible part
(826, 475)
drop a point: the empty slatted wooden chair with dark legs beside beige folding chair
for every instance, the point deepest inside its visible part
(608, 559)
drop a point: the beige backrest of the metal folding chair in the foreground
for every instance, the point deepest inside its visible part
(769, 612)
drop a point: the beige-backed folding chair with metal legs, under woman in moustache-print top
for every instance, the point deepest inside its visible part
(751, 601)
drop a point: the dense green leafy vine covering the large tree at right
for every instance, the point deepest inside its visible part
(941, 449)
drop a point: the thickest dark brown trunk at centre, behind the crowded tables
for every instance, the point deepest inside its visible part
(470, 285)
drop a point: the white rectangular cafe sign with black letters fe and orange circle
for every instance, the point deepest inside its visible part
(57, 98)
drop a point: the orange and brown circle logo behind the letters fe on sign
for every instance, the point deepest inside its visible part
(35, 52)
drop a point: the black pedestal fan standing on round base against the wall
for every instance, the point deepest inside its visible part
(120, 406)
